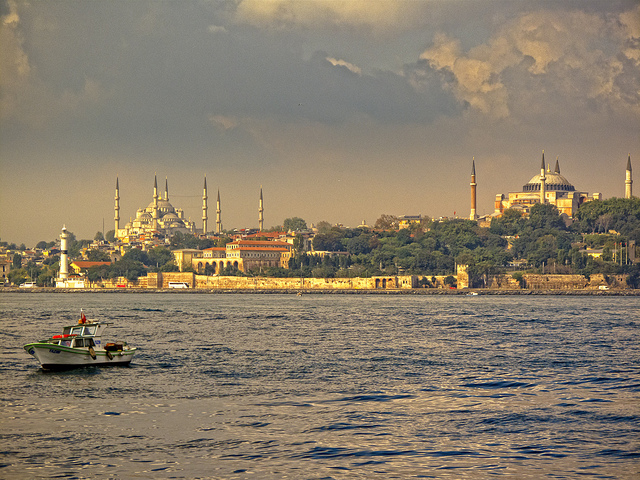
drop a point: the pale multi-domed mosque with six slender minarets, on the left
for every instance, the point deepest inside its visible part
(161, 219)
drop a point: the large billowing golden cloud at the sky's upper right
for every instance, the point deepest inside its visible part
(582, 58)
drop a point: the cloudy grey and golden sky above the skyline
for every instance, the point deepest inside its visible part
(340, 110)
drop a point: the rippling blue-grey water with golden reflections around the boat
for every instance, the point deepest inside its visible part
(327, 387)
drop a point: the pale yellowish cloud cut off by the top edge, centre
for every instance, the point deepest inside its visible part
(318, 14)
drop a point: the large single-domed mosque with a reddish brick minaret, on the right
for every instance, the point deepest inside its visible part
(547, 187)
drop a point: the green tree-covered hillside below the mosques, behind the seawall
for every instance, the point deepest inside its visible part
(542, 242)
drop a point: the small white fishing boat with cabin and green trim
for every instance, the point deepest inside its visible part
(80, 345)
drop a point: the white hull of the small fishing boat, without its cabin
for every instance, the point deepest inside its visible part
(53, 356)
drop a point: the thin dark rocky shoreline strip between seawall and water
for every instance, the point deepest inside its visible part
(404, 291)
